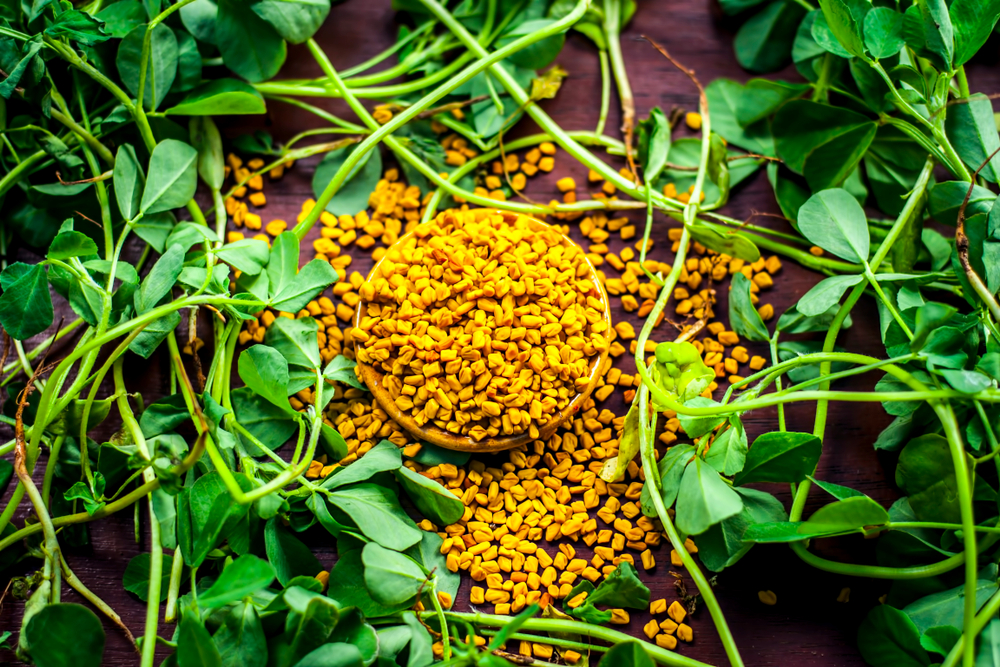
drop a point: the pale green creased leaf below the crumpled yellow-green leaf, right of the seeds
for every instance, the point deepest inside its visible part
(703, 499)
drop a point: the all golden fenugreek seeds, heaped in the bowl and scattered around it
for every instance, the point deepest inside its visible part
(483, 328)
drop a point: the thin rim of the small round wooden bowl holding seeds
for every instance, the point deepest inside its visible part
(438, 436)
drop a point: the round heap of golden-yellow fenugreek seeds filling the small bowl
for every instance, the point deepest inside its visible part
(483, 323)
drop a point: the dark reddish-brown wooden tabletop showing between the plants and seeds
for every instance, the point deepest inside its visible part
(807, 627)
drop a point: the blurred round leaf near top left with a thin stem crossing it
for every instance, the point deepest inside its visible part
(162, 67)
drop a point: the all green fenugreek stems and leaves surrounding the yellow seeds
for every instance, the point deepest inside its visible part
(93, 96)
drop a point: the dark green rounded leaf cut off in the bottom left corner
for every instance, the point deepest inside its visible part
(65, 635)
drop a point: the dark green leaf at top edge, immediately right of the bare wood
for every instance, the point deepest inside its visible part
(764, 43)
